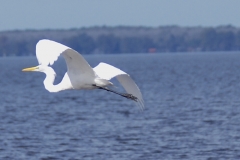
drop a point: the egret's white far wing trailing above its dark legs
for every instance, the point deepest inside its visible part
(106, 71)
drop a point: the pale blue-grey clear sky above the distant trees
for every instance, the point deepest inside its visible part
(66, 14)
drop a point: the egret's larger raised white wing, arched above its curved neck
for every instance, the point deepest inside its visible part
(48, 51)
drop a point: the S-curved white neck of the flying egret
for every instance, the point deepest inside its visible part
(48, 81)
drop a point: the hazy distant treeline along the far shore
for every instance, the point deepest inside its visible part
(122, 39)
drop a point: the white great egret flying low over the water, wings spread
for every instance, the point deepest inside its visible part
(80, 75)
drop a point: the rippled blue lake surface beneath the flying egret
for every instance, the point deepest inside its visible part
(192, 111)
